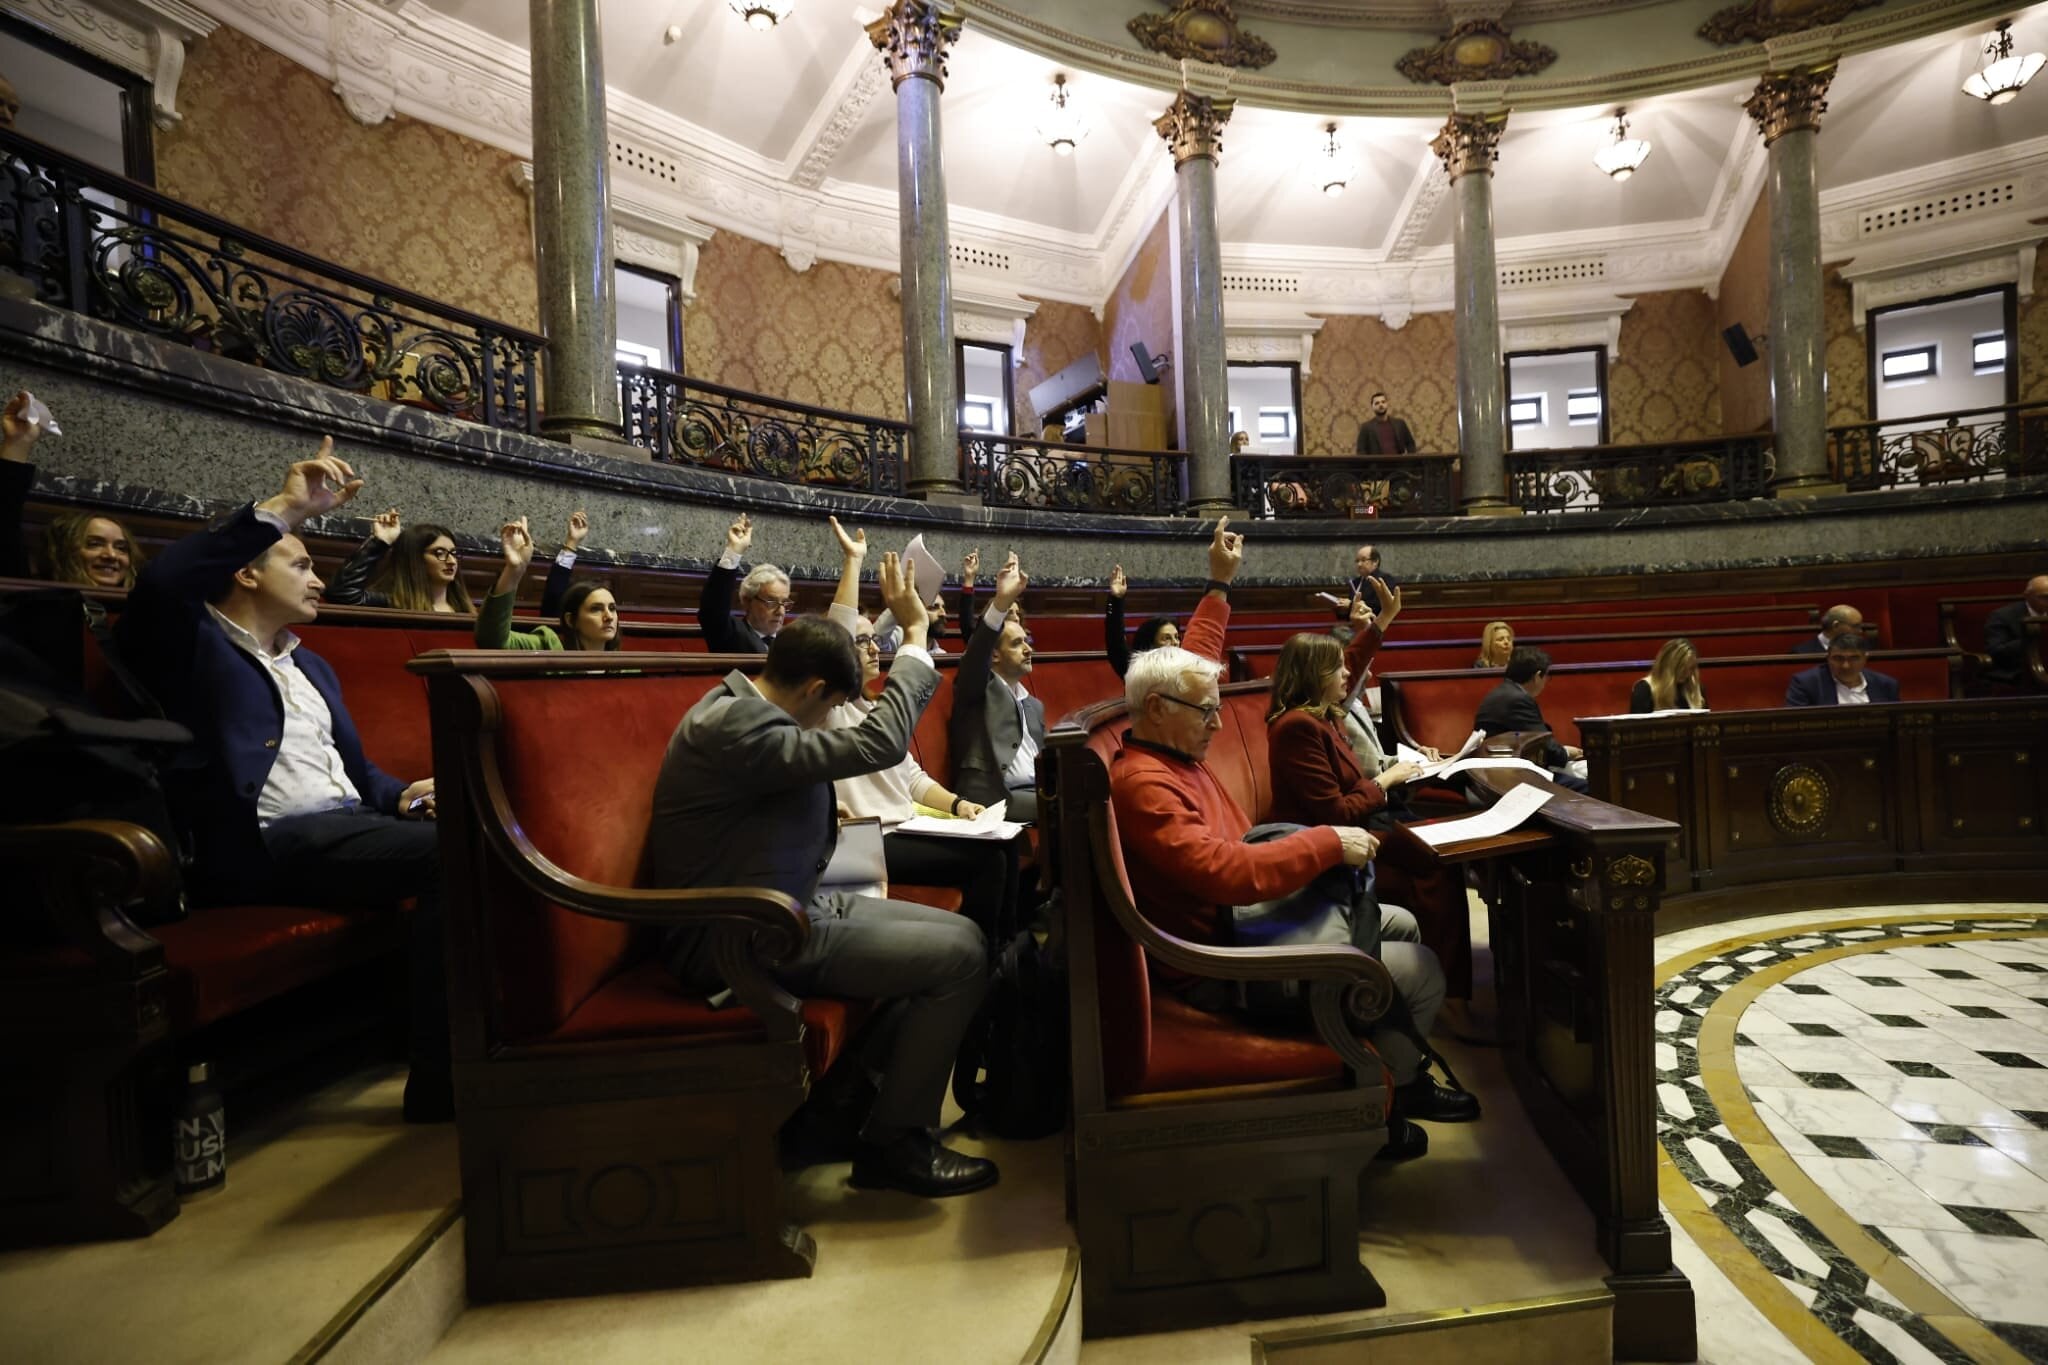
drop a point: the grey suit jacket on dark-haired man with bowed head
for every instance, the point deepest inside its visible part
(744, 797)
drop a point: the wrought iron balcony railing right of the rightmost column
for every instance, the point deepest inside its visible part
(1955, 447)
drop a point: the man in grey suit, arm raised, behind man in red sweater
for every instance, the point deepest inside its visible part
(996, 723)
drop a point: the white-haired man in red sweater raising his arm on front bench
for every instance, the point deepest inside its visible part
(1189, 863)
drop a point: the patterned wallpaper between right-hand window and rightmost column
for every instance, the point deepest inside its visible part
(1666, 386)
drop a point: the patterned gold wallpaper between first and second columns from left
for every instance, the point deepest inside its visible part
(830, 337)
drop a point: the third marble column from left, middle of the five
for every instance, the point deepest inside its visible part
(1193, 130)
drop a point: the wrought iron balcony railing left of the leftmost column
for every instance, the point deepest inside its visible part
(118, 251)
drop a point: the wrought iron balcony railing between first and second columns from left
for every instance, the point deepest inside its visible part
(693, 423)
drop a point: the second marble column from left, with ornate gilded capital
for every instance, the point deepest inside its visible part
(914, 38)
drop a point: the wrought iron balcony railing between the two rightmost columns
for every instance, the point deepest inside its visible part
(1656, 476)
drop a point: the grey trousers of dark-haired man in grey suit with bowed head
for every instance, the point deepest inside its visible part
(929, 965)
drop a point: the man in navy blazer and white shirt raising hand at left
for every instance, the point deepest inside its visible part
(288, 807)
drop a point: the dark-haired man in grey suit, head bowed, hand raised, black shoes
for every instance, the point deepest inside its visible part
(746, 801)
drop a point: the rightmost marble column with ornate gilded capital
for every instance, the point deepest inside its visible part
(1787, 107)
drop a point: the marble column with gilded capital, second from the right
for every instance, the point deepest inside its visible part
(1467, 148)
